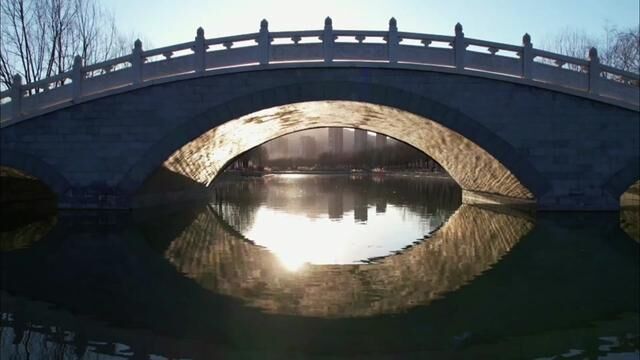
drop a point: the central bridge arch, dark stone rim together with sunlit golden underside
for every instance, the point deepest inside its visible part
(490, 164)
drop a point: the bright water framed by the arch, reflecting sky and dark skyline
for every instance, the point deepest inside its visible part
(329, 219)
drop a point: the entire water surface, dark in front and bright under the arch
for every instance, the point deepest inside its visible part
(321, 266)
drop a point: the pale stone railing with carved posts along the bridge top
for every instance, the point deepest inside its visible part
(327, 47)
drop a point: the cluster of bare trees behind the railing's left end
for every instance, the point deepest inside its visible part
(40, 38)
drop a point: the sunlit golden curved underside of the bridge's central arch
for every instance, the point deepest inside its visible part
(471, 167)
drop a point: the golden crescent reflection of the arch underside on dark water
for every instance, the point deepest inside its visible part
(220, 259)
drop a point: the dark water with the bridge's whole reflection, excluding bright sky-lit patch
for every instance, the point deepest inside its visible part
(487, 284)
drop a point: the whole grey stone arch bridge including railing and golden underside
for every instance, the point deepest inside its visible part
(506, 121)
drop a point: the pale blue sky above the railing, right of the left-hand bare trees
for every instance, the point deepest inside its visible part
(166, 22)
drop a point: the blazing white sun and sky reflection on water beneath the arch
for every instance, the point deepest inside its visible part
(298, 239)
